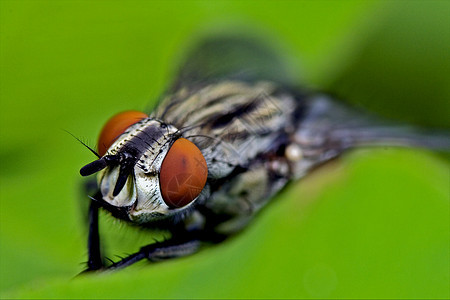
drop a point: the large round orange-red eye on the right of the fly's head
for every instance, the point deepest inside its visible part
(183, 174)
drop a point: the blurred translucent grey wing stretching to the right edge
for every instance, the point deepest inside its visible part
(339, 123)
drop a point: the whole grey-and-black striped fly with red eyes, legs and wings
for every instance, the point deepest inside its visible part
(227, 137)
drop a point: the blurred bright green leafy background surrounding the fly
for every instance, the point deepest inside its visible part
(373, 224)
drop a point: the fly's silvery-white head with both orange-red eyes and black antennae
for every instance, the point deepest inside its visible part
(149, 172)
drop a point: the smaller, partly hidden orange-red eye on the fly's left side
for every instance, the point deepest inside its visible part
(115, 127)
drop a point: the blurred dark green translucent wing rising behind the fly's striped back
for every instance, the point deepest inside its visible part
(232, 57)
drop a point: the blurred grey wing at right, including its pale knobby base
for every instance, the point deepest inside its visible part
(329, 127)
